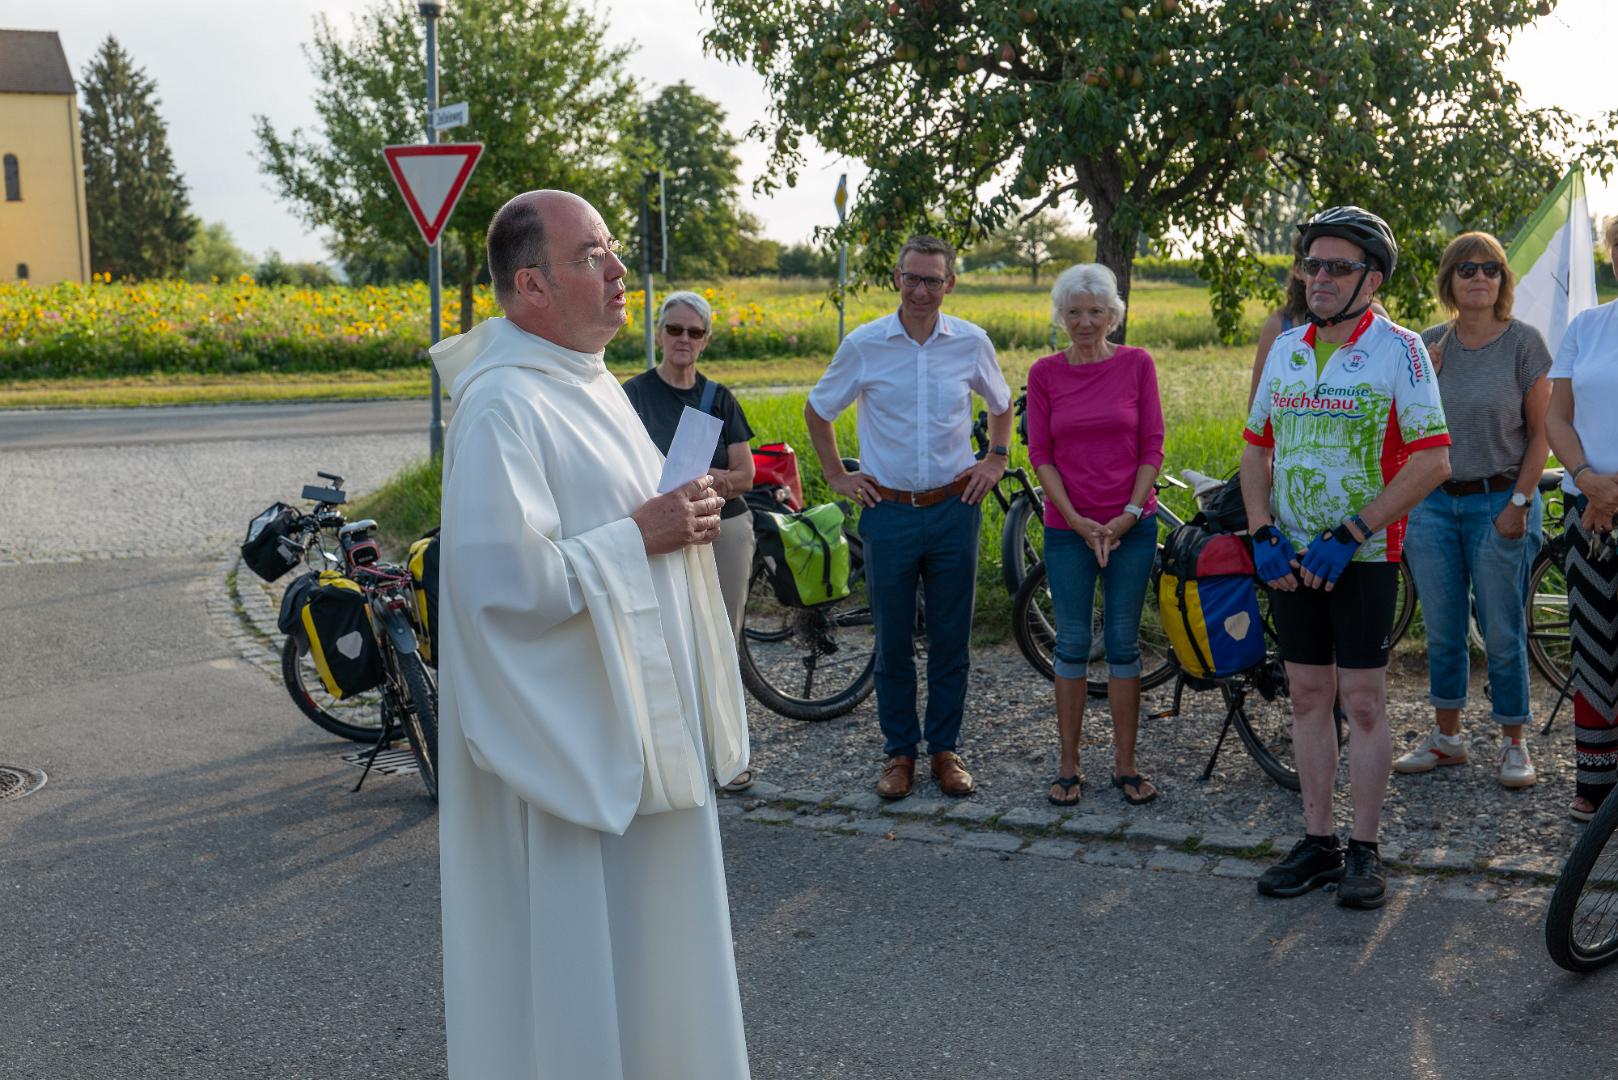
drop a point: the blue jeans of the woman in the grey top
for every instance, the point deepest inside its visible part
(1455, 553)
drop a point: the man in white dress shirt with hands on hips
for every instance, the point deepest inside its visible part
(912, 378)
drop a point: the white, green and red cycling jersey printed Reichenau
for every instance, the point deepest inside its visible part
(1341, 435)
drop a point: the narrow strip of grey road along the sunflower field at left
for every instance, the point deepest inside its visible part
(49, 430)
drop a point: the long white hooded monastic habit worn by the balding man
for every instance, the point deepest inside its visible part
(588, 700)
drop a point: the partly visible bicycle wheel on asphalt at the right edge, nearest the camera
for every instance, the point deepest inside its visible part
(1582, 922)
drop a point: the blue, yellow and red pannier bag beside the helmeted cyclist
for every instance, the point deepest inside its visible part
(1209, 602)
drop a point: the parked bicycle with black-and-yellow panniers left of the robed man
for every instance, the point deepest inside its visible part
(407, 700)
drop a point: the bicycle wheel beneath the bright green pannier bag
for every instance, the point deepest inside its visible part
(810, 663)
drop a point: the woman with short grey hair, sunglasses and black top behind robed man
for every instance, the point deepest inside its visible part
(661, 396)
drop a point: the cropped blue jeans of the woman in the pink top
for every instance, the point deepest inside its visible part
(1072, 572)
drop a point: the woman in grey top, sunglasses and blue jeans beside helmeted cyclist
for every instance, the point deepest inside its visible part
(1480, 532)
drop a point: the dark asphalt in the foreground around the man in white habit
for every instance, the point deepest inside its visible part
(197, 893)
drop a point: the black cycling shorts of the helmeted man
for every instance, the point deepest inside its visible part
(1352, 626)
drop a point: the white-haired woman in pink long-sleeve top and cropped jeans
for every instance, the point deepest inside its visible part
(1096, 440)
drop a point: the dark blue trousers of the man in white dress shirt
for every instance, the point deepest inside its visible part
(936, 546)
